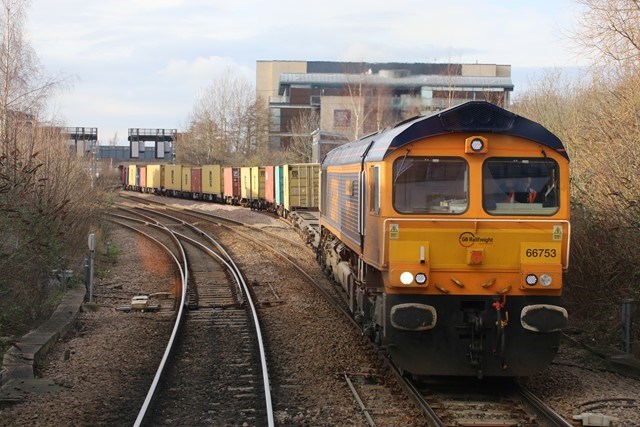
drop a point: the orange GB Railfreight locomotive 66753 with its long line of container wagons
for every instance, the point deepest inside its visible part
(449, 235)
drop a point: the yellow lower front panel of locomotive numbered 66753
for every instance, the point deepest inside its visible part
(488, 260)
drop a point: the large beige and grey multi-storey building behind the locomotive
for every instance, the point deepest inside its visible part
(355, 99)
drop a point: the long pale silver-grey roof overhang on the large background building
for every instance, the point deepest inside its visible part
(435, 81)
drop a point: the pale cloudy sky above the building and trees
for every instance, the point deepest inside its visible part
(142, 63)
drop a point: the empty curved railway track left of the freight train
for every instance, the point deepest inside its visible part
(214, 371)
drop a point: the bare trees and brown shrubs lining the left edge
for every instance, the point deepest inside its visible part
(49, 197)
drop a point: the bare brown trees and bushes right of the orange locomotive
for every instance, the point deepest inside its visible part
(597, 116)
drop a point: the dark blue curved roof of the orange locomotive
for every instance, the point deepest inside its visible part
(473, 116)
